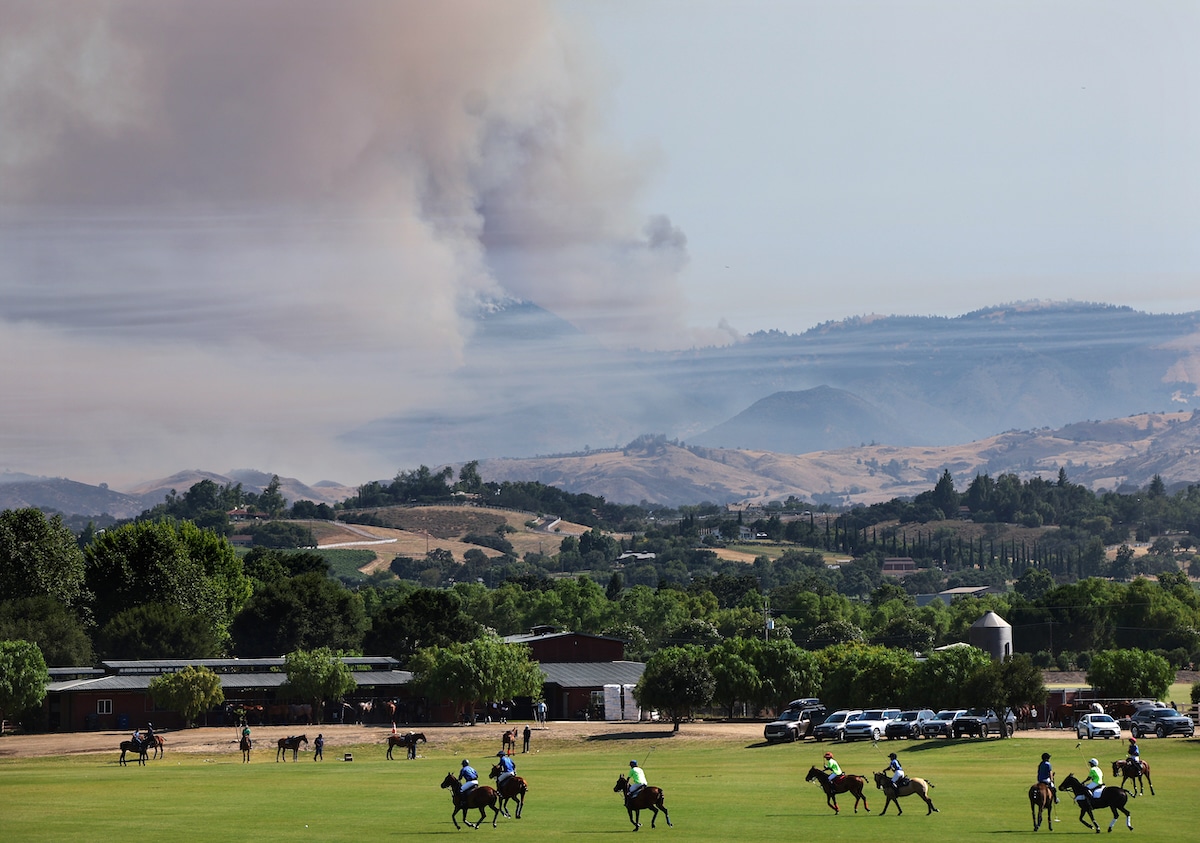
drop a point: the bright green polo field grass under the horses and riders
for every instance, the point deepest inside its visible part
(717, 791)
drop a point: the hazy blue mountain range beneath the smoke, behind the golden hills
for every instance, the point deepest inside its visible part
(907, 381)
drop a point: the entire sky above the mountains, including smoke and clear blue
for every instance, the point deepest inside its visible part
(232, 231)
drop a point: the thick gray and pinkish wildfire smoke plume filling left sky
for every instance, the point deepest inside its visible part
(231, 230)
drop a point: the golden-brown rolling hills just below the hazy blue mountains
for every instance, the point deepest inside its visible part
(1127, 455)
